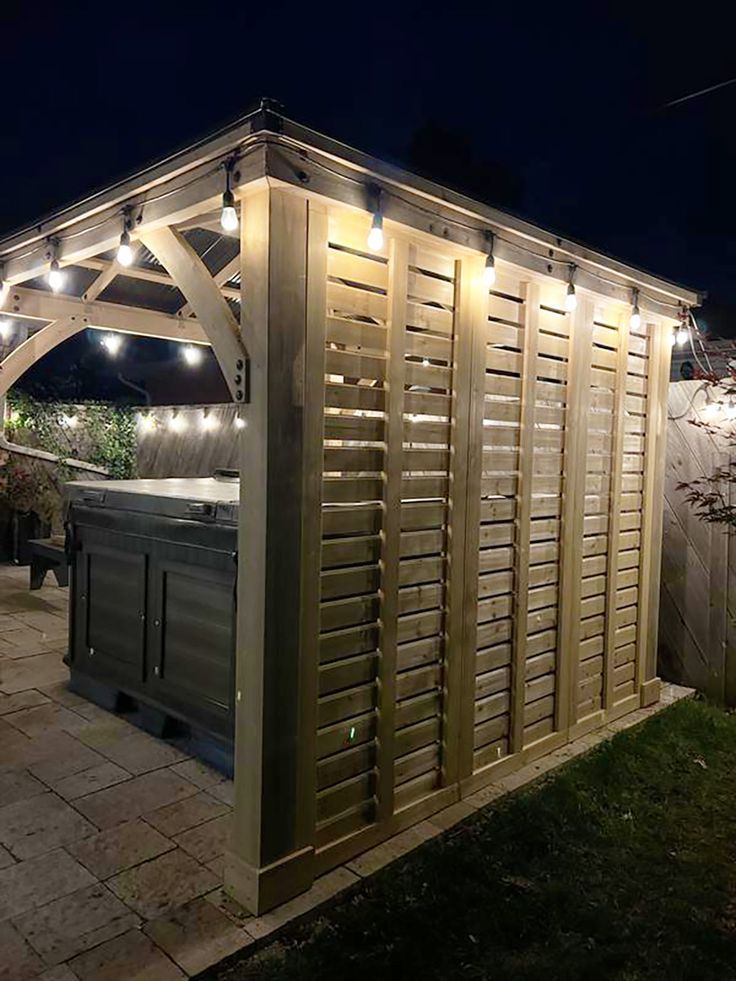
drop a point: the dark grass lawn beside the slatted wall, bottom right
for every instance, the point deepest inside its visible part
(621, 865)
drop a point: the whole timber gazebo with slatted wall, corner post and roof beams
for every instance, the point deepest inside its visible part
(451, 495)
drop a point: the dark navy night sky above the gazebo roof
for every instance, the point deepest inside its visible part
(555, 111)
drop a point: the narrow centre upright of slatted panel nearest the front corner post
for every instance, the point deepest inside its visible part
(391, 534)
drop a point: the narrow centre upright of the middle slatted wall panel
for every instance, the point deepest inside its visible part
(524, 515)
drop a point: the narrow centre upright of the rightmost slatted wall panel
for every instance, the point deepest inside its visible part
(614, 513)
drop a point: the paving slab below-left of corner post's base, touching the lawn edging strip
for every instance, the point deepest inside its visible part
(197, 935)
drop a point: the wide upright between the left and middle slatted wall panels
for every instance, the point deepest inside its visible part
(471, 318)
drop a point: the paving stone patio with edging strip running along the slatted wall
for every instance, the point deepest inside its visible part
(112, 842)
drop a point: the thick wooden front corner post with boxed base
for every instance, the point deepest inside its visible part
(271, 855)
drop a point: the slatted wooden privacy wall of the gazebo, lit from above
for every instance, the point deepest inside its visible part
(482, 513)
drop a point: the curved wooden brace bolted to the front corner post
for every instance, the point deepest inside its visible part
(203, 295)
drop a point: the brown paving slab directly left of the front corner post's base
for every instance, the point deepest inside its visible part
(159, 886)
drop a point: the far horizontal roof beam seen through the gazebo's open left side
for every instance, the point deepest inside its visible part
(43, 305)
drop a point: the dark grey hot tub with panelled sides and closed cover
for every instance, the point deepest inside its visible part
(154, 567)
